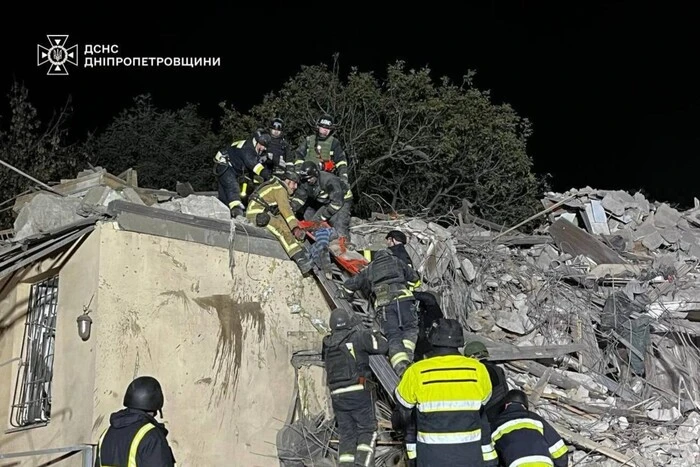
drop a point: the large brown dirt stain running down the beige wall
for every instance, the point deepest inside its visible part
(235, 320)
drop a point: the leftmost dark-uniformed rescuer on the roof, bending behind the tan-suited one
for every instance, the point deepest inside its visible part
(234, 164)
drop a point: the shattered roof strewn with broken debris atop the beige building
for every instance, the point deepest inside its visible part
(48, 221)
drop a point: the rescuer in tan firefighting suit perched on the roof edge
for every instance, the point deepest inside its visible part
(269, 207)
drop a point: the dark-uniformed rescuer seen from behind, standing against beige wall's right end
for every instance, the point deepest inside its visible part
(346, 353)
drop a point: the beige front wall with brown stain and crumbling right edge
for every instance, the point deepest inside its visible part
(220, 345)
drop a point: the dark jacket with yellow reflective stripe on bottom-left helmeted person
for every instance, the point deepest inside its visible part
(134, 433)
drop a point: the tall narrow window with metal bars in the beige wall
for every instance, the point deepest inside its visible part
(31, 403)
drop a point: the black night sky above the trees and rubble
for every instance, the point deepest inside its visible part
(611, 88)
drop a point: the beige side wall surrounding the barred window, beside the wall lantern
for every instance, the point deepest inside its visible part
(74, 360)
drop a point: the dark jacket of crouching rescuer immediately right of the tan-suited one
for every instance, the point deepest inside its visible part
(329, 191)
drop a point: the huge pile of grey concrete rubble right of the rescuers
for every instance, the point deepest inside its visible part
(596, 316)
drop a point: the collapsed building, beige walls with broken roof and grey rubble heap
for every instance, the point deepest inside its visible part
(594, 315)
